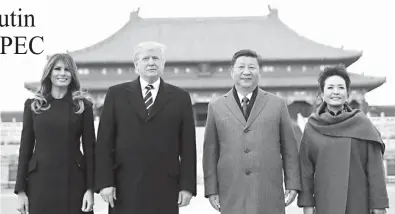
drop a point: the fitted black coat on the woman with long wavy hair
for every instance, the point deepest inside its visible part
(52, 171)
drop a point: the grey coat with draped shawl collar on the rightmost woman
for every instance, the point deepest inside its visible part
(341, 160)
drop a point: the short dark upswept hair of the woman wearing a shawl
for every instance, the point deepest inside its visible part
(338, 70)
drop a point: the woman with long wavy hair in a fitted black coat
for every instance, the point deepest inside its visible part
(53, 175)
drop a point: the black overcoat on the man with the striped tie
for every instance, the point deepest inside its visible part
(147, 158)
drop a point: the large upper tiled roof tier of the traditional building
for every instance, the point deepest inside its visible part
(212, 39)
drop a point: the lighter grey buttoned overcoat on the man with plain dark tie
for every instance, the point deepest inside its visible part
(243, 161)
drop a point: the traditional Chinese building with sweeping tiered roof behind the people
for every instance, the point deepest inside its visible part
(198, 55)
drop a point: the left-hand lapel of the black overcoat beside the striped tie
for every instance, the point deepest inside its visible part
(135, 98)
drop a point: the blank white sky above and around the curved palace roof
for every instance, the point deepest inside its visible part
(72, 25)
